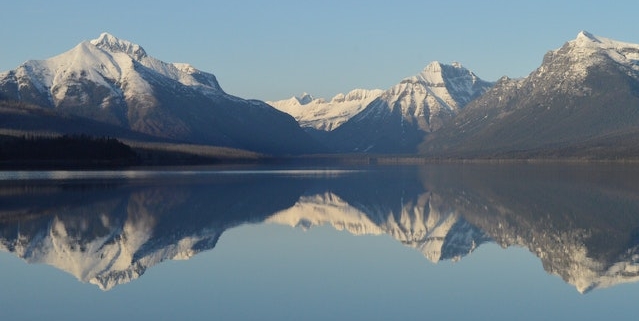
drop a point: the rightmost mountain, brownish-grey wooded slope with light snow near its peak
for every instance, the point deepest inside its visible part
(581, 101)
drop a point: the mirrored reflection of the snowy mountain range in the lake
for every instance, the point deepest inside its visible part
(582, 222)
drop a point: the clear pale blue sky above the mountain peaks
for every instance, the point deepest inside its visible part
(276, 49)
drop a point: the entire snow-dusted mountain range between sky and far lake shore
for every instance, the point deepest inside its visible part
(583, 101)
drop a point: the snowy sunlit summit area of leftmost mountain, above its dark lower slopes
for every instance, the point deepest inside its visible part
(118, 67)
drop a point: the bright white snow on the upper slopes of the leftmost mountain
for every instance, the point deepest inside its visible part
(111, 63)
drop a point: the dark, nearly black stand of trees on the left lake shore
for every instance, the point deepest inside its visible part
(71, 148)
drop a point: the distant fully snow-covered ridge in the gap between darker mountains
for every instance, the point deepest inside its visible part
(325, 115)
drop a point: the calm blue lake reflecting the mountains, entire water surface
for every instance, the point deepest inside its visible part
(448, 242)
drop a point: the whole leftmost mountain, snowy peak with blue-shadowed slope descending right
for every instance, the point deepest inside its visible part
(114, 81)
